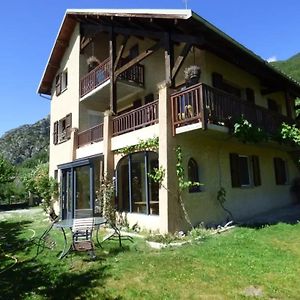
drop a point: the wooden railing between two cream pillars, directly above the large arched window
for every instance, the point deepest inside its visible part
(136, 119)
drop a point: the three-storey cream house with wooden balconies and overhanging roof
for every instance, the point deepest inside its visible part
(116, 77)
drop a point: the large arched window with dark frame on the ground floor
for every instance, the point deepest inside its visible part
(136, 193)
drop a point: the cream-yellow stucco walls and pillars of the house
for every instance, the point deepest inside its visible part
(209, 148)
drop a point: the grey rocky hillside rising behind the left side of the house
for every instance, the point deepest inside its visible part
(26, 143)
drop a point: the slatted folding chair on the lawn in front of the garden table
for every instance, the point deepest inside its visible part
(82, 234)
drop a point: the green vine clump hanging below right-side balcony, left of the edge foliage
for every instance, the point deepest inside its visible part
(245, 132)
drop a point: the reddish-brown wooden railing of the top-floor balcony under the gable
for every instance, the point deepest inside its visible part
(101, 73)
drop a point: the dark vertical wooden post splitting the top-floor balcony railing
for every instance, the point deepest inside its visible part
(112, 54)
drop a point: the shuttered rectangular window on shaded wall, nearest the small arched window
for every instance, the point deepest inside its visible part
(245, 170)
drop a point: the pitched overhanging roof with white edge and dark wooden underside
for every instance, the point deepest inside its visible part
(191, 22)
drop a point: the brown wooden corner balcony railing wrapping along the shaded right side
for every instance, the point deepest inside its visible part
(205, 104)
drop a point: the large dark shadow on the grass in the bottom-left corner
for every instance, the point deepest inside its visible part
(45, 280)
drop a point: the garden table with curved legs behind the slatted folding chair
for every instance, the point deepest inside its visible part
(68, 224)
